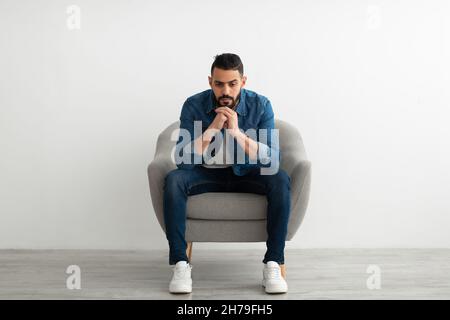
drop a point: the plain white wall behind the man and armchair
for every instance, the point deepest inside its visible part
(366, 83)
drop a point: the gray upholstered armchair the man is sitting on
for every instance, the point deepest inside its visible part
(245, 219)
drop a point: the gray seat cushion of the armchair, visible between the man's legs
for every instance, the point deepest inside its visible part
(227, 206)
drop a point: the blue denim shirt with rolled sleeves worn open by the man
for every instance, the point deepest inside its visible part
(254, 112)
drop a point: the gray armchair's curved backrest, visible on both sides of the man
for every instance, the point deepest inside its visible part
(290, 141)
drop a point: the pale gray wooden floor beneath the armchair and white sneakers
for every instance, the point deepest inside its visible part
(226, 274)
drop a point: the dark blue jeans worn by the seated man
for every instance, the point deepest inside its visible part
(181, 183)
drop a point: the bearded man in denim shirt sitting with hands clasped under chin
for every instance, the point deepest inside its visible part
(205, 165)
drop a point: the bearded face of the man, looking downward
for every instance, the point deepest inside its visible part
(226, 85)
